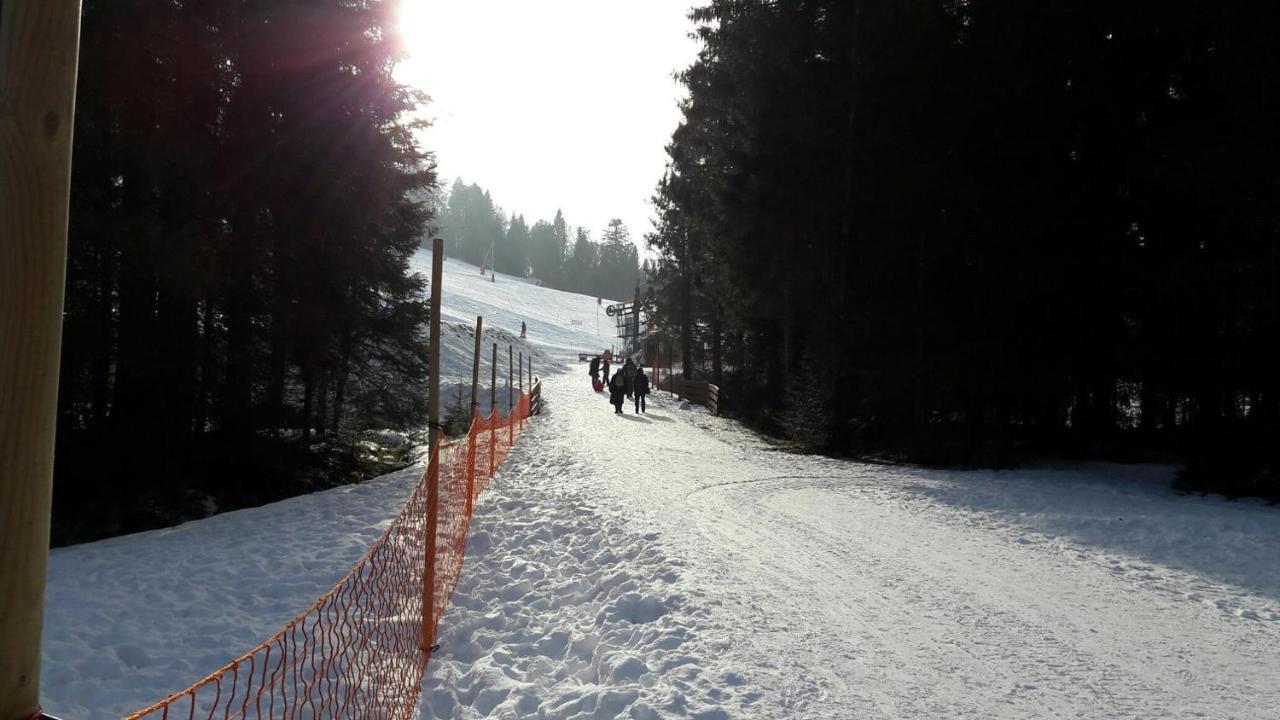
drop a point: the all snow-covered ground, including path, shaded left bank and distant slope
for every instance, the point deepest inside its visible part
(674, 566)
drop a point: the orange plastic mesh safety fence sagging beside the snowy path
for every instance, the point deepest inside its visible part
(362, 649)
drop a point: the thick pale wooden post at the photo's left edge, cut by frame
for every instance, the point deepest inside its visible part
(39, 53)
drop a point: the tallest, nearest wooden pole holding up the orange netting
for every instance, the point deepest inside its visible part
(433, 464)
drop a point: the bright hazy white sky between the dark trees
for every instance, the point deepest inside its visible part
(552, 104)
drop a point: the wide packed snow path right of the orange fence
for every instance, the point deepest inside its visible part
(673, 566)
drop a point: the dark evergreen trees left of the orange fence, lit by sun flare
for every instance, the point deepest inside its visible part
(246, 197)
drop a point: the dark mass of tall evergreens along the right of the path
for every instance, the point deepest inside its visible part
(976, 233)
